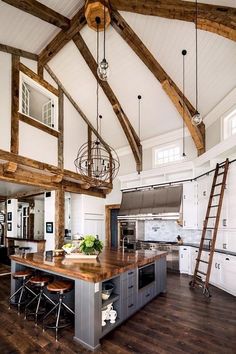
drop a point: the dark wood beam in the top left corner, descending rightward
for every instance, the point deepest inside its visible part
(41, 11)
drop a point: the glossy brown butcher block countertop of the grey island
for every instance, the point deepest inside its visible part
(110, 262)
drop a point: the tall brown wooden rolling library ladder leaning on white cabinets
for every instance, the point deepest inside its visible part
(201, 278)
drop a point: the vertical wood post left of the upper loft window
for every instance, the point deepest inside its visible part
(15, 80)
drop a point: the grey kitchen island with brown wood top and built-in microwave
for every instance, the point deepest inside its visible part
(137, 277)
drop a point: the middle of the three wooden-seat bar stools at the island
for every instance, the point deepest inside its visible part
(38, 282)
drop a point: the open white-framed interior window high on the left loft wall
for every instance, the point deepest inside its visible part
(37, 102)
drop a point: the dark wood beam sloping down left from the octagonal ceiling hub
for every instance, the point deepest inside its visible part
(62, 38)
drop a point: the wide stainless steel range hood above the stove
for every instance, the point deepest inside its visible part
(162, 202)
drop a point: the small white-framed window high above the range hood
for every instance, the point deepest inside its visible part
(166, 154)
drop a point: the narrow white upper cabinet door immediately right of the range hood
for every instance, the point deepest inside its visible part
(190, 205)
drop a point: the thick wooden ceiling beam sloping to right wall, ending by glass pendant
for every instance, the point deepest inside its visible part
(172, 90)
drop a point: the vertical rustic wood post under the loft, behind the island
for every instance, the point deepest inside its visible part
(59, 218)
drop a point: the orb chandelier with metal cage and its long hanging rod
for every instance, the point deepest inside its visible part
(95, 159)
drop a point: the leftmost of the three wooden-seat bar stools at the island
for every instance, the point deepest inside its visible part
(23, 275)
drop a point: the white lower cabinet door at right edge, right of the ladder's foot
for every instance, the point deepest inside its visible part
(229, 274)
